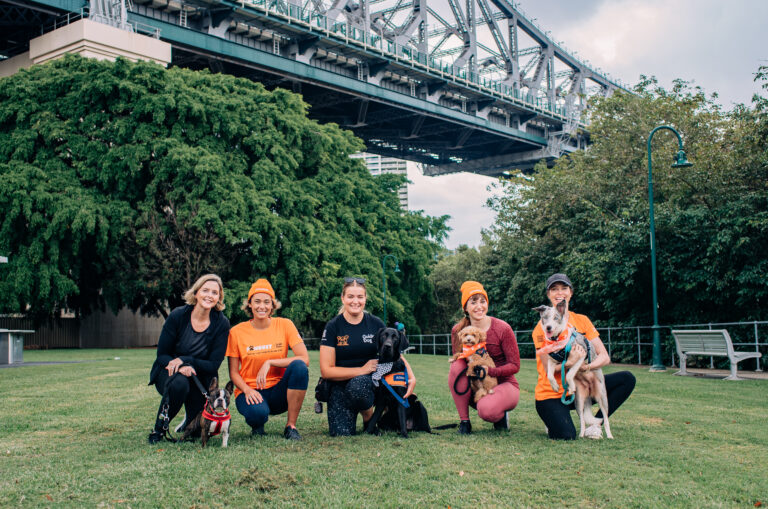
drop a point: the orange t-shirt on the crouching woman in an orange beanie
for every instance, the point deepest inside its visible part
(253, 347)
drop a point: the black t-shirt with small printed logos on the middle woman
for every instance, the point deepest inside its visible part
(354, 344)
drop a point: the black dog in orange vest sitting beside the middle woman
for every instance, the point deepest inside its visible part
(390, 342)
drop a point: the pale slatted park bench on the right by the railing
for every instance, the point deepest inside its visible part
(710, 343)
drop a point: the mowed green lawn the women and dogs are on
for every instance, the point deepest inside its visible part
(74, 435)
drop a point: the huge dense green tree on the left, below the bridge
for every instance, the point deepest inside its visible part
(123, 182)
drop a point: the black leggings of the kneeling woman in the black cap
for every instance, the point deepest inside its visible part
(557, 416)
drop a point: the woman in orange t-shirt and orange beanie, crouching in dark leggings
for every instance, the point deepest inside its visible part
(267, 381)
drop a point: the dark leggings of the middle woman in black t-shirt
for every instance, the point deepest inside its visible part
(346, 400)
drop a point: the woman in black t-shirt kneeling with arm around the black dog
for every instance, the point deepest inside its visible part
(348, 359)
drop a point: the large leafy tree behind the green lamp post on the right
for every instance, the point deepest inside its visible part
(588, 215)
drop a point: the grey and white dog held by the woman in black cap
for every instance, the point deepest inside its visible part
(589, 386)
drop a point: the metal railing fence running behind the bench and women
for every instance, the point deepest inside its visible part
(632, 345)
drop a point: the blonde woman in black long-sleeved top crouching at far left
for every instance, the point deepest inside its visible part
(192, 342)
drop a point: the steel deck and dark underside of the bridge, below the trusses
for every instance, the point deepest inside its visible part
(400, 104)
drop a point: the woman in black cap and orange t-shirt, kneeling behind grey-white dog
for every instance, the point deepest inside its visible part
(555, 414)
